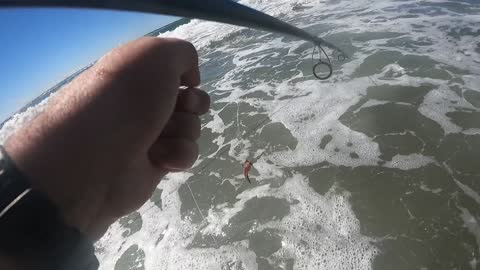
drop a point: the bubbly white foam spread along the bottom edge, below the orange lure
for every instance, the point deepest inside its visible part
(337, 245)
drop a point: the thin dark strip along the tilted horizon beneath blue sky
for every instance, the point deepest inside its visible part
(53, 89)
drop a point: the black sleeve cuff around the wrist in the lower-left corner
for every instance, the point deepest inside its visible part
(32, 229)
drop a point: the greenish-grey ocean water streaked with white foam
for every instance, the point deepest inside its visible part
(375, 168)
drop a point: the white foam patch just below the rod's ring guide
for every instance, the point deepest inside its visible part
(325, 104)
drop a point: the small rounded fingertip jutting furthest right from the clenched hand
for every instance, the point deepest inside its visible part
(193, 100)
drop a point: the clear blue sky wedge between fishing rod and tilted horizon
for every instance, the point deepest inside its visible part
(40, 47)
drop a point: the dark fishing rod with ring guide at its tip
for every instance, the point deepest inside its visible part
(224, 11)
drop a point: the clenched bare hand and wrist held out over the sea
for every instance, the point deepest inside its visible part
(107, 138)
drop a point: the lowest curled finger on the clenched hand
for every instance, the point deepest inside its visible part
(173, 154)
